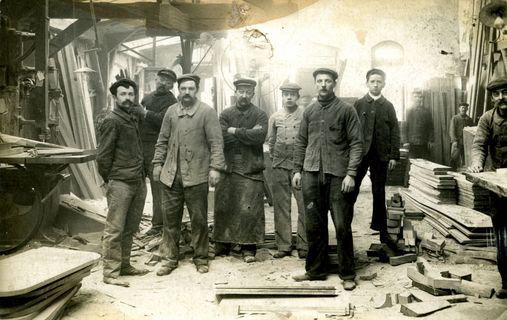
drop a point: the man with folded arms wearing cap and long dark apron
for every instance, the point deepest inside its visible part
(239, 196)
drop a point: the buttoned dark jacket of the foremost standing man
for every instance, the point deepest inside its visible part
(330, 135)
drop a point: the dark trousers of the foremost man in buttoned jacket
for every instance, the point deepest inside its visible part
(321, 194)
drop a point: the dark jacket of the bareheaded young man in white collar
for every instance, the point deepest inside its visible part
(380, 127)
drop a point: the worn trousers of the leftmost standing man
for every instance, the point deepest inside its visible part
(125, 202)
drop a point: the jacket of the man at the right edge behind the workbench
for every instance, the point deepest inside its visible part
(491, 136)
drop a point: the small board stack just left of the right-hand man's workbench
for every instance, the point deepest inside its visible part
(470, 195)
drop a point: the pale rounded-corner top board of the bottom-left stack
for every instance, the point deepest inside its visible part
(33, 269)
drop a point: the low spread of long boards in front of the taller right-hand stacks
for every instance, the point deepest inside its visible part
(466, 225)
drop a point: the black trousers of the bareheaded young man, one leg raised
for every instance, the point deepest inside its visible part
(378, 177)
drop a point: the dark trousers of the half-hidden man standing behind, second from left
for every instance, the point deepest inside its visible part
(156, 186)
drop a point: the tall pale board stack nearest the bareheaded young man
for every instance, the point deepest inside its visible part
(430, 181)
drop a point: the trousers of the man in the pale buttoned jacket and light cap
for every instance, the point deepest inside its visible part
(282, 190)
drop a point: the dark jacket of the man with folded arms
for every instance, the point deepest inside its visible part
(243, 150)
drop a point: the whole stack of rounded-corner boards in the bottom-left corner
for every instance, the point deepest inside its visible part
(38, 283)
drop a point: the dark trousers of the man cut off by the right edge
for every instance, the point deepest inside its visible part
(499, 219)
